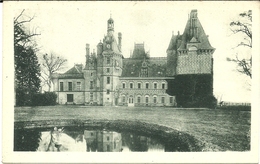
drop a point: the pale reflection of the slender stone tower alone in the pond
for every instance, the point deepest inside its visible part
(103, 141)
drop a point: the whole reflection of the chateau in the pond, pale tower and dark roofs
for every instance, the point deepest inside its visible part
(106, 141)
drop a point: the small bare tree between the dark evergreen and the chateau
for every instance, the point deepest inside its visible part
(51, 64)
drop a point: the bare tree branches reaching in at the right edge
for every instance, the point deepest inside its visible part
(243, 27)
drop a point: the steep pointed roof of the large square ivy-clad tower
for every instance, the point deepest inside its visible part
(194, 30)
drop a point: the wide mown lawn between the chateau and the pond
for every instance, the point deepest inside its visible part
(218, 129)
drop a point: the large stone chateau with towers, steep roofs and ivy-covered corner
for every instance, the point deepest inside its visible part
(109, 79)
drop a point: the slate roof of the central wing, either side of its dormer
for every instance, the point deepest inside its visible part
(156, 67)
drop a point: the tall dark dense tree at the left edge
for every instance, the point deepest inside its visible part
(27, 68)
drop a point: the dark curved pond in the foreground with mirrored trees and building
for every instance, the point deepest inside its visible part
(79, 139)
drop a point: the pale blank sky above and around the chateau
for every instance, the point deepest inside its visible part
(66, 27)
